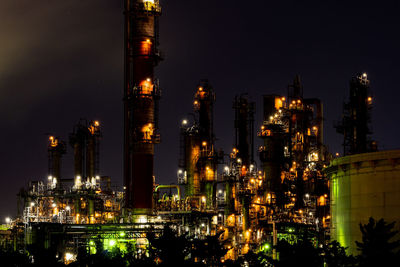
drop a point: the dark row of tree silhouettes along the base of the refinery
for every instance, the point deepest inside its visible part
(170, 249)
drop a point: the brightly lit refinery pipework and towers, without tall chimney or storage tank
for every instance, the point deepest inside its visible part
(224, 193)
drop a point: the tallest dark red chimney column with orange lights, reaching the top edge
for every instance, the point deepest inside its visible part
(141, 94)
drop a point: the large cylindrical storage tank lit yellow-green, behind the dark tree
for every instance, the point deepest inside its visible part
(363, 186)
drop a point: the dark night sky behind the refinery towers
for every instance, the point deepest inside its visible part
(63, 60)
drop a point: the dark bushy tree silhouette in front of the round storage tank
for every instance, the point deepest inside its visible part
(376, 247)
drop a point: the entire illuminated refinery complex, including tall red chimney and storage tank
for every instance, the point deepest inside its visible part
(250, 197)
